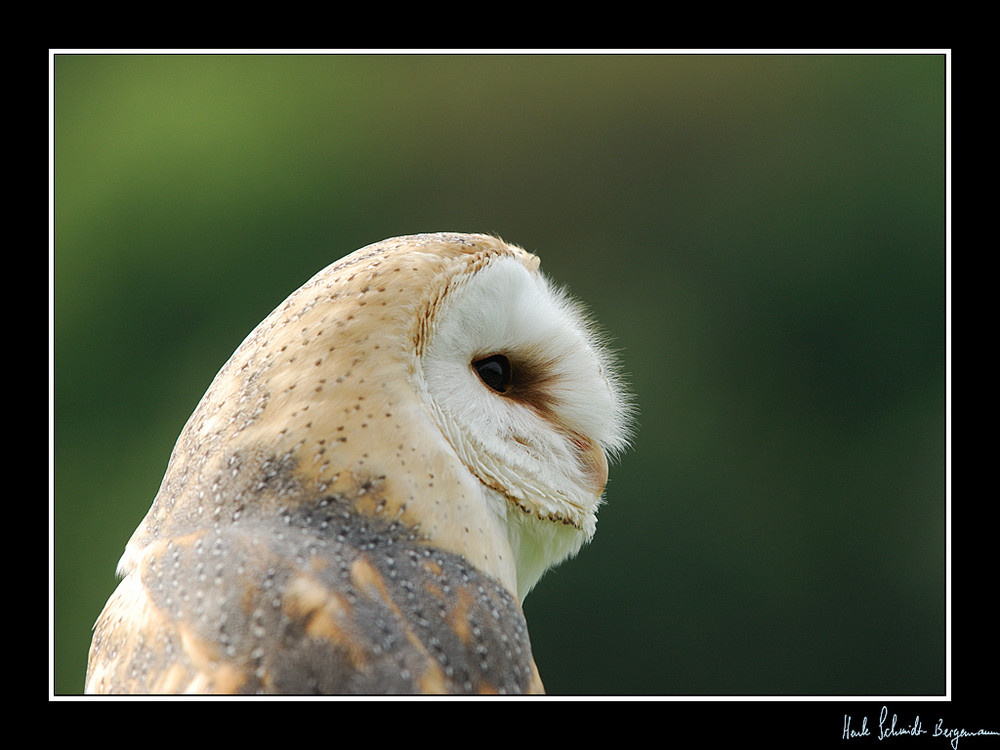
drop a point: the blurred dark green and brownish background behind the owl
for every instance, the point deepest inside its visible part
(763, 235)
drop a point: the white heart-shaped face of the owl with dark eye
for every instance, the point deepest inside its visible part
(526, 394)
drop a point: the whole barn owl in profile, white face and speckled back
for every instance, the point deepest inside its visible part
(372, 484)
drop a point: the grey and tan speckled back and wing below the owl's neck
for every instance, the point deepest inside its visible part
(309, 603)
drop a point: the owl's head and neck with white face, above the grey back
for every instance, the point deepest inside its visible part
(437, 380)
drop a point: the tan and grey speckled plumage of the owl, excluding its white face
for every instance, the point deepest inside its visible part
(314, 531)
